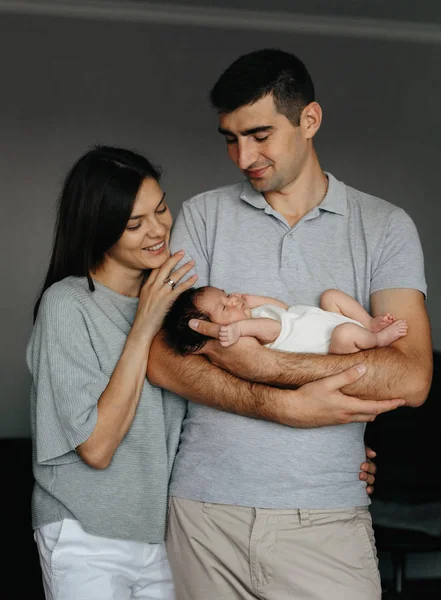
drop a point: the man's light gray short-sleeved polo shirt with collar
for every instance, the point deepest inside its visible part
(353, 242)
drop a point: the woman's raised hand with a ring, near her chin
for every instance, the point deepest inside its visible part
(159, 291)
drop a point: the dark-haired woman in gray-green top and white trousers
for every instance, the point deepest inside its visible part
(104, 442)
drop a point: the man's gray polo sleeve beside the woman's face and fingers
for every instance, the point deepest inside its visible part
(190, 234)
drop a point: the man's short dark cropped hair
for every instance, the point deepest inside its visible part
(253, 76)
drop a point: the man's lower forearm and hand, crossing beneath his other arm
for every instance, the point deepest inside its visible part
(316, 404)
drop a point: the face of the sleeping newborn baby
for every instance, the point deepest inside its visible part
(223, 308)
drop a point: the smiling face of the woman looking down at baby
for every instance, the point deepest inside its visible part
(144, 243)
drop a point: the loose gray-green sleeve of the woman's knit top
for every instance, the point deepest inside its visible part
(66, 379)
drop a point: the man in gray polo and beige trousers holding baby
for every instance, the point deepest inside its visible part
(259, 509)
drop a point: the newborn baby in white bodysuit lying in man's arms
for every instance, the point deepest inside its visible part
(340, 326)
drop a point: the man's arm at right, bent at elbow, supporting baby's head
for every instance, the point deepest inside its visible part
(402, 370)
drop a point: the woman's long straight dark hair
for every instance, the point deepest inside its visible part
(93, 209)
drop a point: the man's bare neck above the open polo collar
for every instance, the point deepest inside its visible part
(302, 195)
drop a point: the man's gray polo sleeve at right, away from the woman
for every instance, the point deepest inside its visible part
(400, 262)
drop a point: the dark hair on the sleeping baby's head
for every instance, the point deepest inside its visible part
(178, 334)
